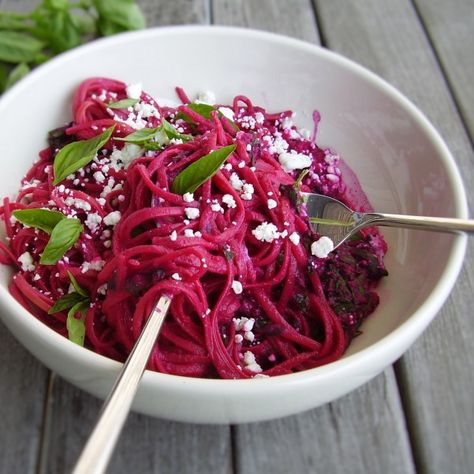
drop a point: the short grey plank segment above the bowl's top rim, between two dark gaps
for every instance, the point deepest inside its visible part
(291, 17)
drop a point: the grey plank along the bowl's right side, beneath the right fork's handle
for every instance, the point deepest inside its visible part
(436, 374)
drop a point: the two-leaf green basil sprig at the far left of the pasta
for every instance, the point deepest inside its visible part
(63, 231)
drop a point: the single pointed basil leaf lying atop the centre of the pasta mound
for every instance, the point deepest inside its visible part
(201, 170)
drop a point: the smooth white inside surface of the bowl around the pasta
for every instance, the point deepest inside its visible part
(402, 164)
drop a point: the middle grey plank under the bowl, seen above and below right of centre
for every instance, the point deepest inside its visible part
(363, 432)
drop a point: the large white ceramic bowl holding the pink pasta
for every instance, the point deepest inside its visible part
(401, 161)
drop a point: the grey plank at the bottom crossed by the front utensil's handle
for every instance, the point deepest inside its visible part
(146, 444)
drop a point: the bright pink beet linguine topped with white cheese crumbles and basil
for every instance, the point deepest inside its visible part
(133, 199)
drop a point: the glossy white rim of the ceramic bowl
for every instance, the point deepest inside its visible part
(417, 321)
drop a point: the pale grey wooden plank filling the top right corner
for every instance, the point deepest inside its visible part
(449, 25)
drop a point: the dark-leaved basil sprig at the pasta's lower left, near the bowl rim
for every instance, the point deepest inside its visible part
(77, 301)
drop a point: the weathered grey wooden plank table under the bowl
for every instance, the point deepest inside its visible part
(418, 416)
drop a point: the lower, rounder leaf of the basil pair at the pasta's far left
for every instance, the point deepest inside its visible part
(63, 237)
